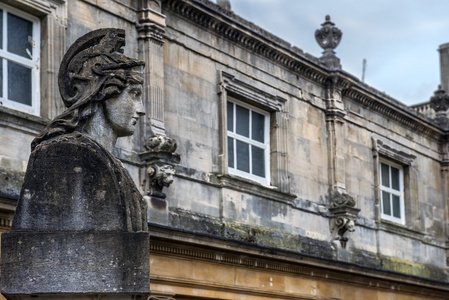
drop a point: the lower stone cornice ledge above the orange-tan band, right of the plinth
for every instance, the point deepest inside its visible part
(169, 242)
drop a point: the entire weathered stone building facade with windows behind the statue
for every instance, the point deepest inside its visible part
(269, 173)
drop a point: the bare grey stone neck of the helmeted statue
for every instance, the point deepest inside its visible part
(100, 130)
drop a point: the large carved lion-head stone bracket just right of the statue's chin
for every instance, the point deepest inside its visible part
(160, 159)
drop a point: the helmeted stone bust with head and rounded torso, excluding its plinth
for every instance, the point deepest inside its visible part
(71, 160)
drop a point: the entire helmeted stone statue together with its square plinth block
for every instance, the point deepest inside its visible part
(81, 226)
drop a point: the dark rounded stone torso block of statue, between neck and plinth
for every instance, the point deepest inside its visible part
(72, 183)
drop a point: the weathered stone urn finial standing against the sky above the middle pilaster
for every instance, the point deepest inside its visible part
(328, 37)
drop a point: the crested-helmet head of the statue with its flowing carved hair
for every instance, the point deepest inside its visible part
(95, 75)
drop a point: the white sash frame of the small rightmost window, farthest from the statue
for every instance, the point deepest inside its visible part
(392, 191)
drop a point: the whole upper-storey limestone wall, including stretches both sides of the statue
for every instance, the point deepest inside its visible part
(202, 67)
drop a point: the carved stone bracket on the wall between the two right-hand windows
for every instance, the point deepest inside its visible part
(342, 216)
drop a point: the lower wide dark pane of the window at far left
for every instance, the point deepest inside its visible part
(19, 83)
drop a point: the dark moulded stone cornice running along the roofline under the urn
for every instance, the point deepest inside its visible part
(227, 24)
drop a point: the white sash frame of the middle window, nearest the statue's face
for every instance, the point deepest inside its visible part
(265, 146)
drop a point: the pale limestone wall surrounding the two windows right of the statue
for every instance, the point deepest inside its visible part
(298, 218)
